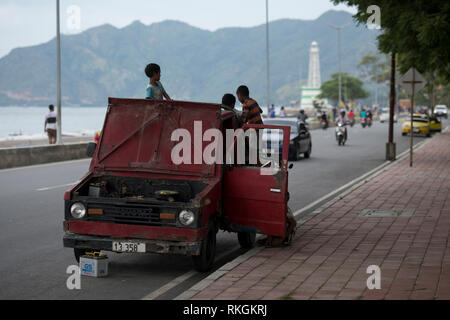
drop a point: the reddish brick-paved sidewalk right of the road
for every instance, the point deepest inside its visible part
(331, 252)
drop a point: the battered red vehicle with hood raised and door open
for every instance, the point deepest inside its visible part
(134, 198)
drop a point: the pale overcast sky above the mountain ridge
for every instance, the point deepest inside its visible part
(30, 22)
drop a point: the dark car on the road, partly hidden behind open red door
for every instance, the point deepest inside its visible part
(300, 139)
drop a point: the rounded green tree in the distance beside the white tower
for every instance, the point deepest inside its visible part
(330, 88)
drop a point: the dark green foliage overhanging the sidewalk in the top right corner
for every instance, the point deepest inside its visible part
(418, 31)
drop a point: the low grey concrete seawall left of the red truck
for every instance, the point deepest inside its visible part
(26, 156)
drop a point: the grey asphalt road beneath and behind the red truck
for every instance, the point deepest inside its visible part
(33, 262)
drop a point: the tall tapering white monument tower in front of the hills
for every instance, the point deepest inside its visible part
(312, 89)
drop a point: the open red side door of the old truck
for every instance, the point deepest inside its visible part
(255, 197)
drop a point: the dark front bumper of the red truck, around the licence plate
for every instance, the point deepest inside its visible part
(79, 241)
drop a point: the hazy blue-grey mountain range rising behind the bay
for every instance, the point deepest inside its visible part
(196, 64)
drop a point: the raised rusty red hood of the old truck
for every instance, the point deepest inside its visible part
(136, 136)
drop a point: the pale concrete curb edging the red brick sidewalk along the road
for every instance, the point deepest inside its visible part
(352, 185)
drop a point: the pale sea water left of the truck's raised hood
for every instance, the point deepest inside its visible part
(17, 123)
